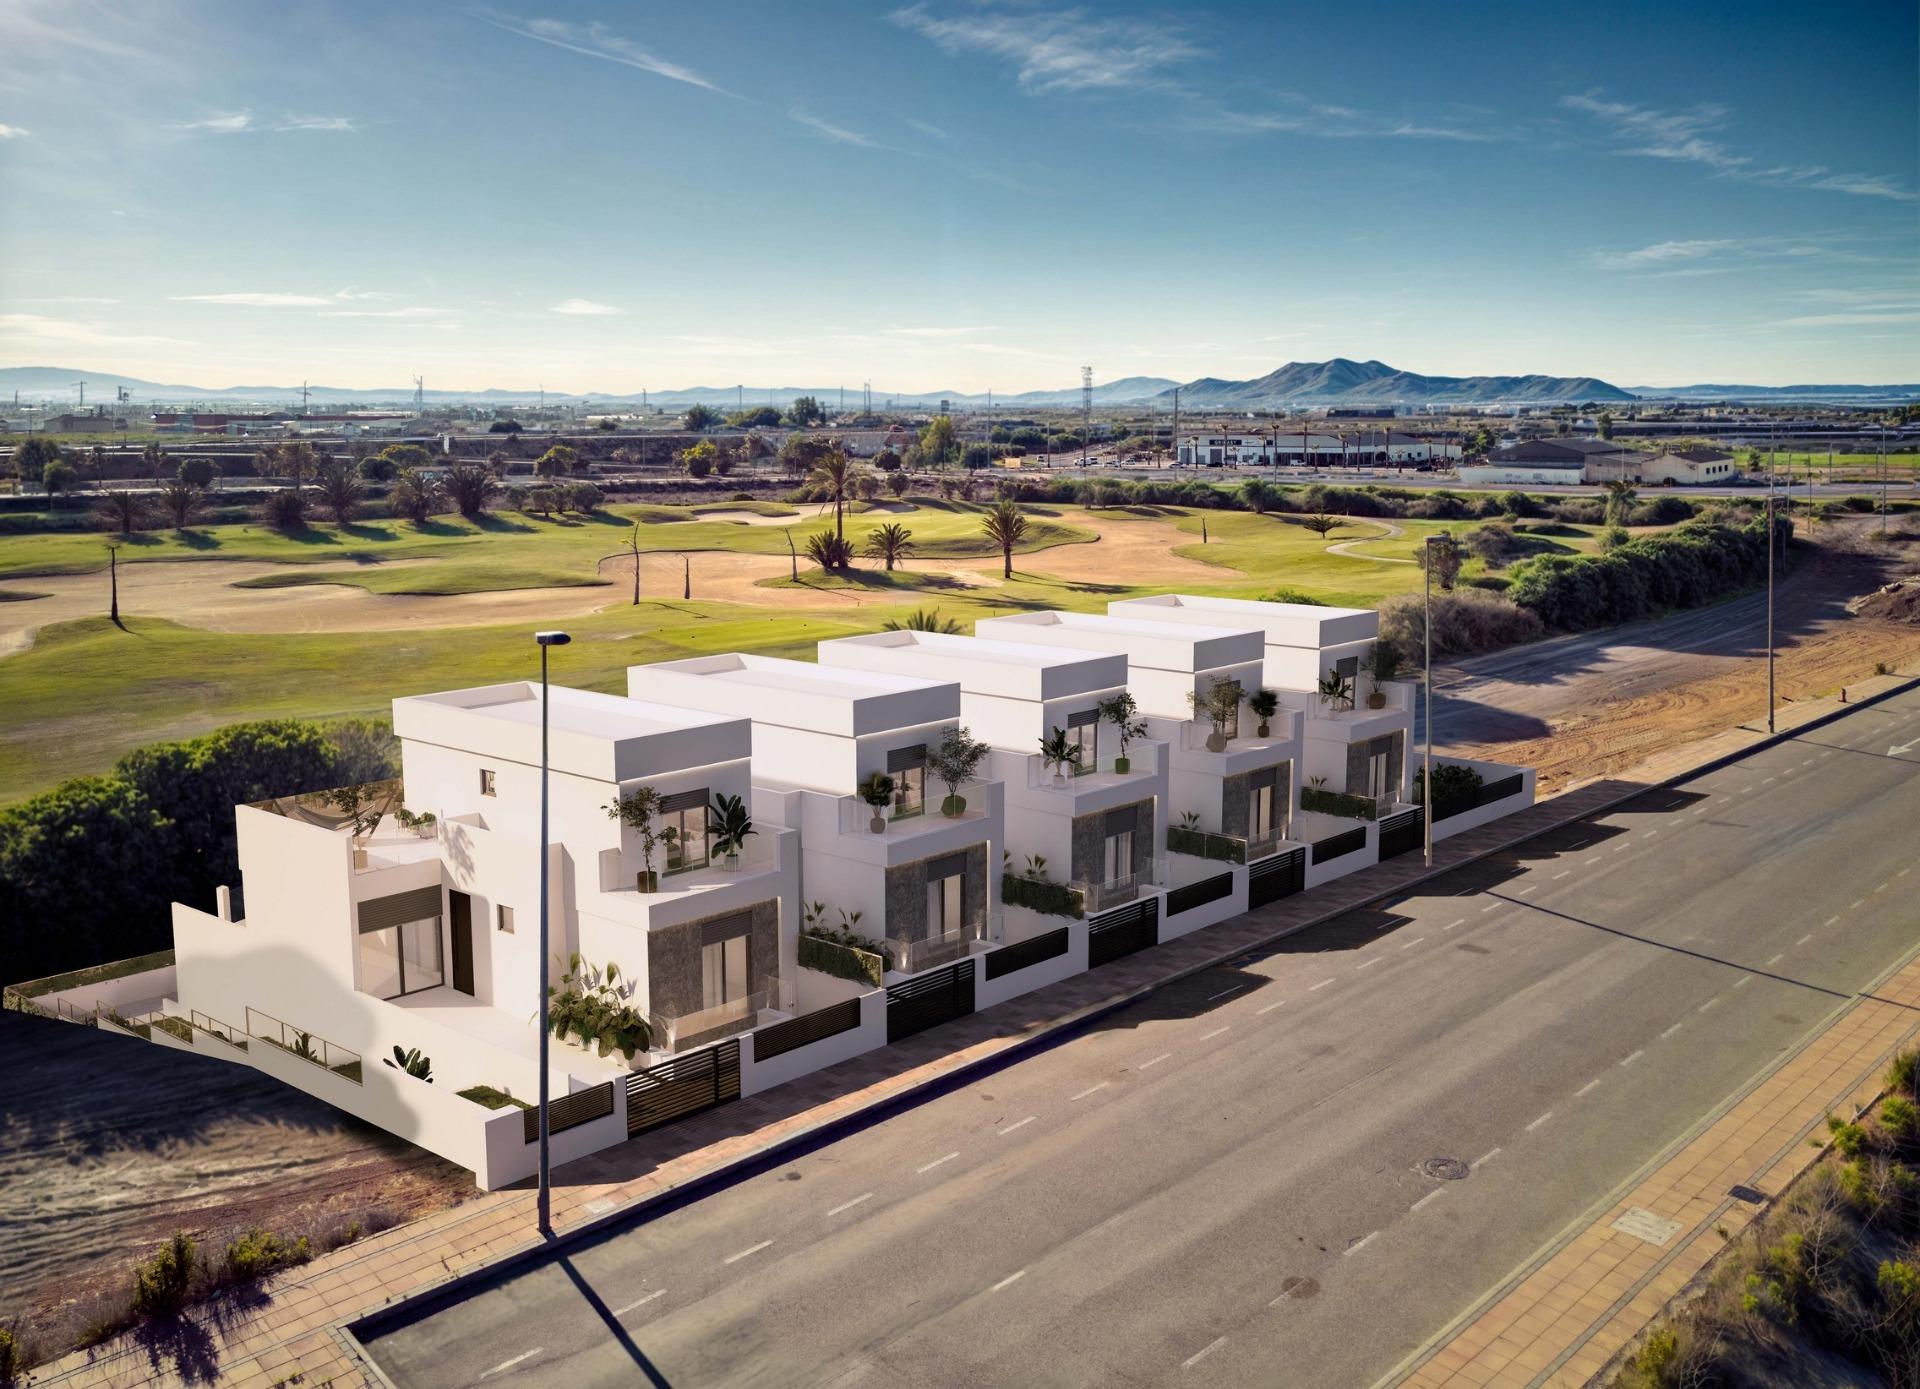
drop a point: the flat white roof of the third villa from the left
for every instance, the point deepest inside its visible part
(1011, 670)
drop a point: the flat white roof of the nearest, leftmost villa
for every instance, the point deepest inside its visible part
(590, 733)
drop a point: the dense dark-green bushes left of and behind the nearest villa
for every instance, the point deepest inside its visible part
(89, 869)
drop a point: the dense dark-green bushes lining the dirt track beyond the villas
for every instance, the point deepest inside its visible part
(1687, 568)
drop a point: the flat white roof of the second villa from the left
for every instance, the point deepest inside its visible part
(798, 694)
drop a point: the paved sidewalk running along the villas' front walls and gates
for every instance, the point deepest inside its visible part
(295, 1325)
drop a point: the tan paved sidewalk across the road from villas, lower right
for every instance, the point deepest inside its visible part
(1566, 1321)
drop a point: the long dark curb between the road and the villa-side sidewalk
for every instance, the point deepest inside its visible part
(1045, 1036)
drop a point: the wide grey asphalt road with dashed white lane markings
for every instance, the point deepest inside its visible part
(1224, 1182)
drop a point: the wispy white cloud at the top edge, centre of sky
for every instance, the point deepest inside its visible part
(1063, 51)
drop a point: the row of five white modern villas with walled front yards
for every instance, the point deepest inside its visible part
(761, 867)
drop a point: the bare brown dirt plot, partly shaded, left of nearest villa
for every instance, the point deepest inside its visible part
(108, 1146)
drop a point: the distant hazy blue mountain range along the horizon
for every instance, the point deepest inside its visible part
(1295, 385)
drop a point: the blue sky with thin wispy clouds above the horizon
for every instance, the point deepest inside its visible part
(957, 195)
